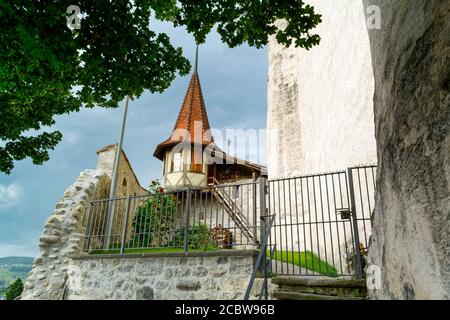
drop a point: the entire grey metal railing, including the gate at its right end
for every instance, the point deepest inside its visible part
(320, 223)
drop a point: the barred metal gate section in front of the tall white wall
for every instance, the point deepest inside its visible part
(322, 222)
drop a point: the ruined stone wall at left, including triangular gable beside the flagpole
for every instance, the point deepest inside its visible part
(64, 230)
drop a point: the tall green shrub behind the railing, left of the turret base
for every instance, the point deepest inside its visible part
(154, 220)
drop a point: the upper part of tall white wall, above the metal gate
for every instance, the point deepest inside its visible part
(320, 102)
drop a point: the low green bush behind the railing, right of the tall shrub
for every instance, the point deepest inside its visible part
(199, 236)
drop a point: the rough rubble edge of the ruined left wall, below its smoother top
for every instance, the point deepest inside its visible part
(62, 237)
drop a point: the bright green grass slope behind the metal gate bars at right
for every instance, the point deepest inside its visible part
(307, 260)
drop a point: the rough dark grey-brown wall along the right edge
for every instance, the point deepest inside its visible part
(411, 226)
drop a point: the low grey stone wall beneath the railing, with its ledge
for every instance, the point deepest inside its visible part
(199, 276)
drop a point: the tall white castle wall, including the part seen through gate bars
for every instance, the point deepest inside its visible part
(320, 119)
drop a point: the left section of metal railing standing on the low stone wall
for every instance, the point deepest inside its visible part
(209, 218)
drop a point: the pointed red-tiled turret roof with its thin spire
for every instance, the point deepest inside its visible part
(192, 119)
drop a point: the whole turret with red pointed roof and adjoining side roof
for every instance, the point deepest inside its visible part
(186, 163)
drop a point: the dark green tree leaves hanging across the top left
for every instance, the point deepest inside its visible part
(46, 69)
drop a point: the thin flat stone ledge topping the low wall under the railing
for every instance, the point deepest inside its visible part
(221, 253)
